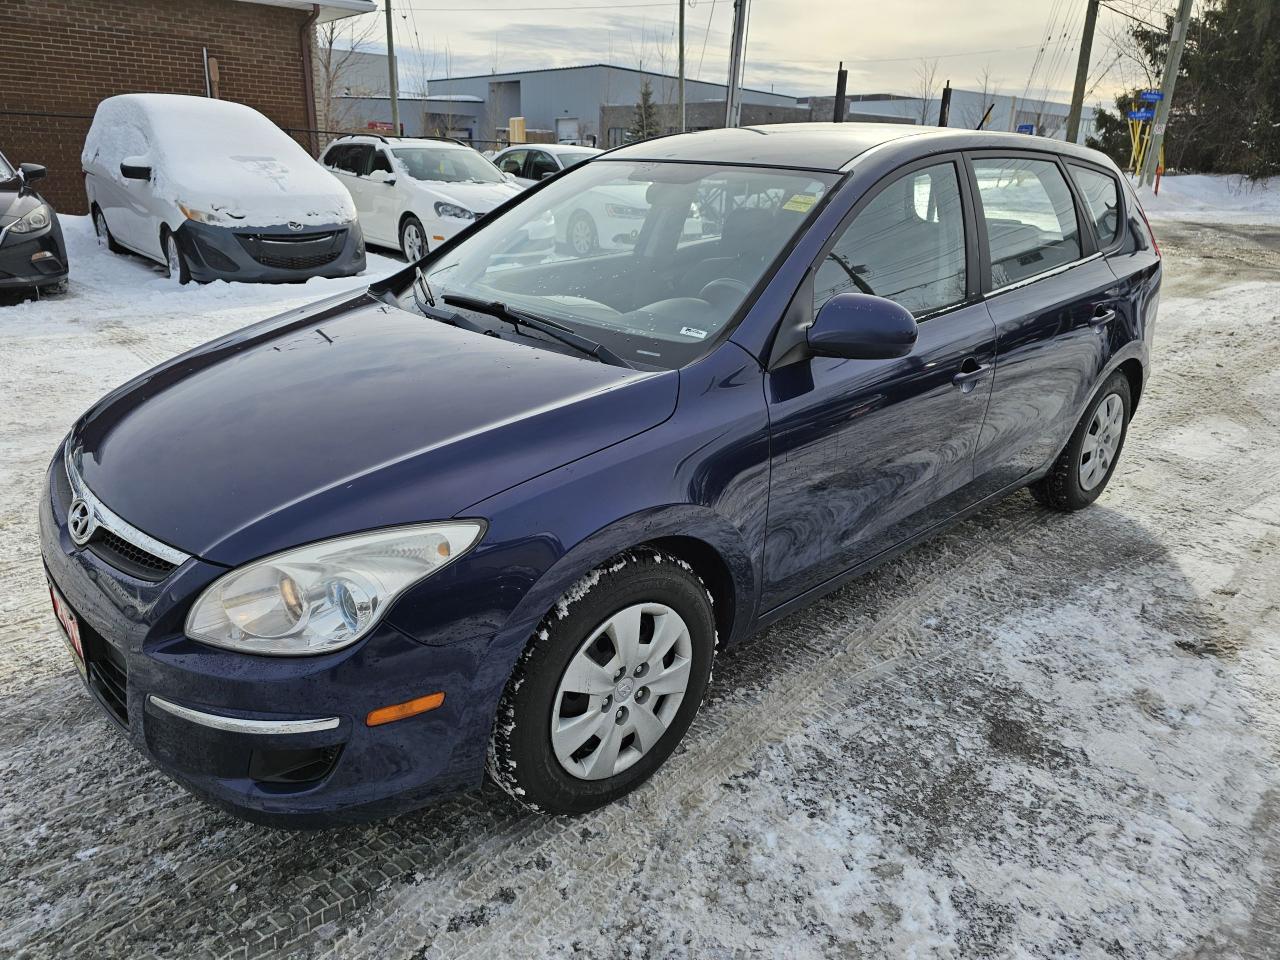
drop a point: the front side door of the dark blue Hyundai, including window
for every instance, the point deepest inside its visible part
(867, 454)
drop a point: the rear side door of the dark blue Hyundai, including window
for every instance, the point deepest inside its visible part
(1053, 299)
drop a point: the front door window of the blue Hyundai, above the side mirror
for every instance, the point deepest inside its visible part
(907, 245)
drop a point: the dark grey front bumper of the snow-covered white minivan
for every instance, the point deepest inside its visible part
(271, 254)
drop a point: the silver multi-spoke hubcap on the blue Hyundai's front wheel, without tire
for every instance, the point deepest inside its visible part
(621, 691)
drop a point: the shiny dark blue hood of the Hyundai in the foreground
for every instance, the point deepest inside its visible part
(342, 418)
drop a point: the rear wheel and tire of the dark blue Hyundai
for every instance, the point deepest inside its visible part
(1085, 468)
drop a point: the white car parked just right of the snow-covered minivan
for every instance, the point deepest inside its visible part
(414, 194)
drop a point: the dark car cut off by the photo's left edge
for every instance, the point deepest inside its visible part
(33, 253)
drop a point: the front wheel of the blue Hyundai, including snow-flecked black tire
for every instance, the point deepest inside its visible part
(607, 688)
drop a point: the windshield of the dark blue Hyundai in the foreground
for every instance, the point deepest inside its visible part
(650, 259)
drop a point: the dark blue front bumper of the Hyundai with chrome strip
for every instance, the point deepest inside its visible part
(273, 740)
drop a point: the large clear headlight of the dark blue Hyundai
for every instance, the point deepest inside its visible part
(324, 597)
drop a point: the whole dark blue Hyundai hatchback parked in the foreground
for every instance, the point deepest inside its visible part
(502, 509)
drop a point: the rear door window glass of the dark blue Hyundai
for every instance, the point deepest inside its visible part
(1030, 218)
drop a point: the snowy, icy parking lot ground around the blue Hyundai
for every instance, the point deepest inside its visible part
(1039, 735)
